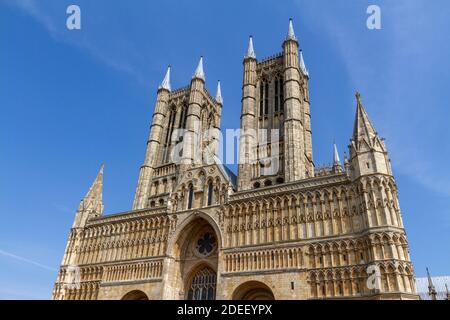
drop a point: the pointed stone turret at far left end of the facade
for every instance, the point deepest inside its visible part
(92, 204)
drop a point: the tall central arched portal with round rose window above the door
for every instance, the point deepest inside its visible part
(195, 255)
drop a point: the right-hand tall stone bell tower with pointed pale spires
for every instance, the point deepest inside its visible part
(275, 139)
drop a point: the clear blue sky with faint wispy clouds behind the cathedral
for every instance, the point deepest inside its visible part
(71, 100)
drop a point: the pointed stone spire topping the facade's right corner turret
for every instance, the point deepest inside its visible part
(368, 152)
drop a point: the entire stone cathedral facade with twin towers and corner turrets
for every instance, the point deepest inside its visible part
(197, 231)
